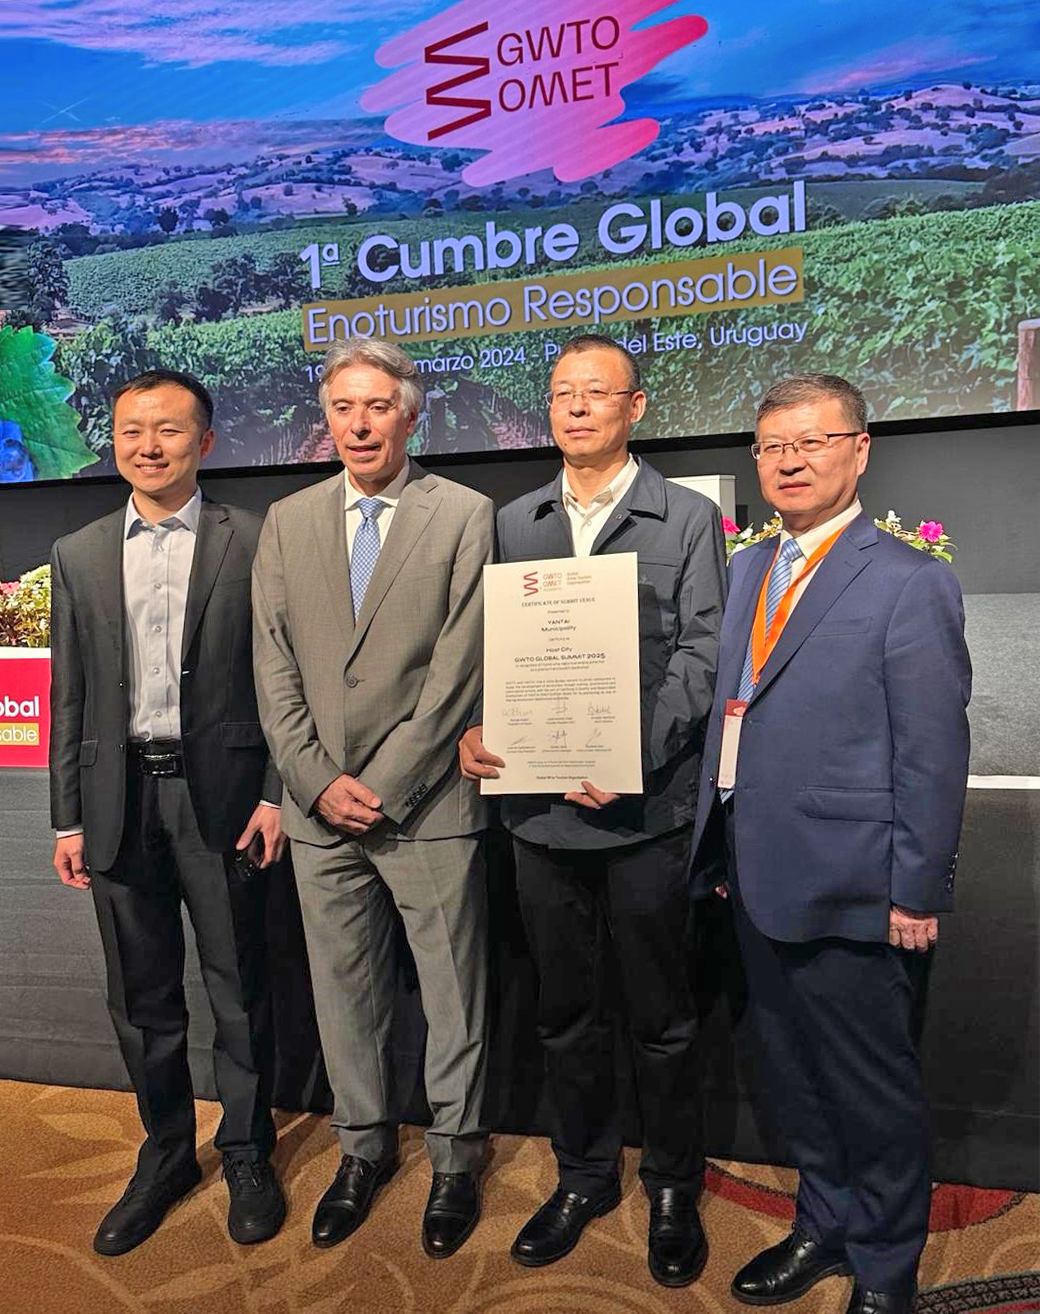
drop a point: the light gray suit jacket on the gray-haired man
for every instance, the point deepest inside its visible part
(385, 700)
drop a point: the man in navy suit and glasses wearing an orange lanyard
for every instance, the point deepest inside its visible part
(838, 756)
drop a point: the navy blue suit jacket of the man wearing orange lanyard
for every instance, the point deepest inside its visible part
(854, 748)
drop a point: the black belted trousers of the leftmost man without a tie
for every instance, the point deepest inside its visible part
(164, 861)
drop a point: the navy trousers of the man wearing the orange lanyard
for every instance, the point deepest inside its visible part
(841, 1079)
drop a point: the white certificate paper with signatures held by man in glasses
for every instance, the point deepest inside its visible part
(562, 675)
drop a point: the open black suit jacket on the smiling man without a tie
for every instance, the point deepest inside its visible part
(225, 755)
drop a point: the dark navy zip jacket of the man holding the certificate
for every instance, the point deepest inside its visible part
(678, 537)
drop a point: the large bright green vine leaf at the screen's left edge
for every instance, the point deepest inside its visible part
(35, 397)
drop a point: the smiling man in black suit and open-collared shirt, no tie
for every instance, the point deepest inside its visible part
(162, 792)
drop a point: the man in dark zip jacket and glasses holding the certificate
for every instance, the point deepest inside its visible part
(592, 865)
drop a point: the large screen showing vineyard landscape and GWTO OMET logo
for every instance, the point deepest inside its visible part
(733, 193)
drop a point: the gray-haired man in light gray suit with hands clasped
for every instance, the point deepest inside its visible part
(367, 648)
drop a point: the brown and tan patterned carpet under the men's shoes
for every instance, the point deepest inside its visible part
(68, 1156)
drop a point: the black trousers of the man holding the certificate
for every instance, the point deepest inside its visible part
(573, 902)
